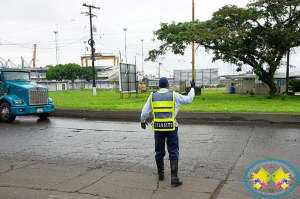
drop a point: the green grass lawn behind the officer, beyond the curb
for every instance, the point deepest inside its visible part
(209, 101)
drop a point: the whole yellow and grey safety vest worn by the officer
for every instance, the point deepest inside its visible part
(163, 105)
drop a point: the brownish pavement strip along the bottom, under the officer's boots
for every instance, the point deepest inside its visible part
(36, 180)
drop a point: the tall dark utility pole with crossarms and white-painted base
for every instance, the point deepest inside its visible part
(91, 42)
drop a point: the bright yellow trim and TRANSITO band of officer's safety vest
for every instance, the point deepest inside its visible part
(163, 124)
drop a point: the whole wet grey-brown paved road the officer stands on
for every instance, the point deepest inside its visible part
(39, 159)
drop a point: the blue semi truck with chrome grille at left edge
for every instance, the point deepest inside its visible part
(20, 96)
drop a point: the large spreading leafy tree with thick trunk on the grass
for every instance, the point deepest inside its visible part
(258, 35)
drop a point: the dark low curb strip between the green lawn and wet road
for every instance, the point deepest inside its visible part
(183, 117)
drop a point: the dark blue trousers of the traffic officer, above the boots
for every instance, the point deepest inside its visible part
(172, 143)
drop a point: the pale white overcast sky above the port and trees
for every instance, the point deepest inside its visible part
(25, 23)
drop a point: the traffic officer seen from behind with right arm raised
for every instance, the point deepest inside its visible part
(164, 107)
